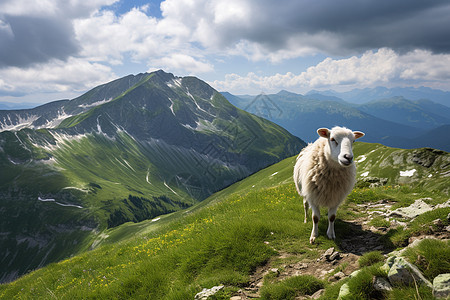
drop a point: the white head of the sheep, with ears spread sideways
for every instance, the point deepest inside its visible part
(340, 140)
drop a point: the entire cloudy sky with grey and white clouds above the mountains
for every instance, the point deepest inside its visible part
(55, 49)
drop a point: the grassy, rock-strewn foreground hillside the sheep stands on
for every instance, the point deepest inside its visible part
(249, 241)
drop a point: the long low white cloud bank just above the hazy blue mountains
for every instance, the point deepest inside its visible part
(373, 68)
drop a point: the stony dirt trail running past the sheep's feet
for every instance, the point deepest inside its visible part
(336, 264)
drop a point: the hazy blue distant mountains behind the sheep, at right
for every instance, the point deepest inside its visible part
(395, 122)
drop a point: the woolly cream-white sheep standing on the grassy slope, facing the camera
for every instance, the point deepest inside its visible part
(325, 174)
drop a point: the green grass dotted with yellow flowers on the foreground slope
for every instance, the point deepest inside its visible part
(219, 241)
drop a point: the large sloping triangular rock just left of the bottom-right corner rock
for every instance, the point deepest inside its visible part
(404, 273)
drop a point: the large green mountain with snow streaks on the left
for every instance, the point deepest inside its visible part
(128, 150)
